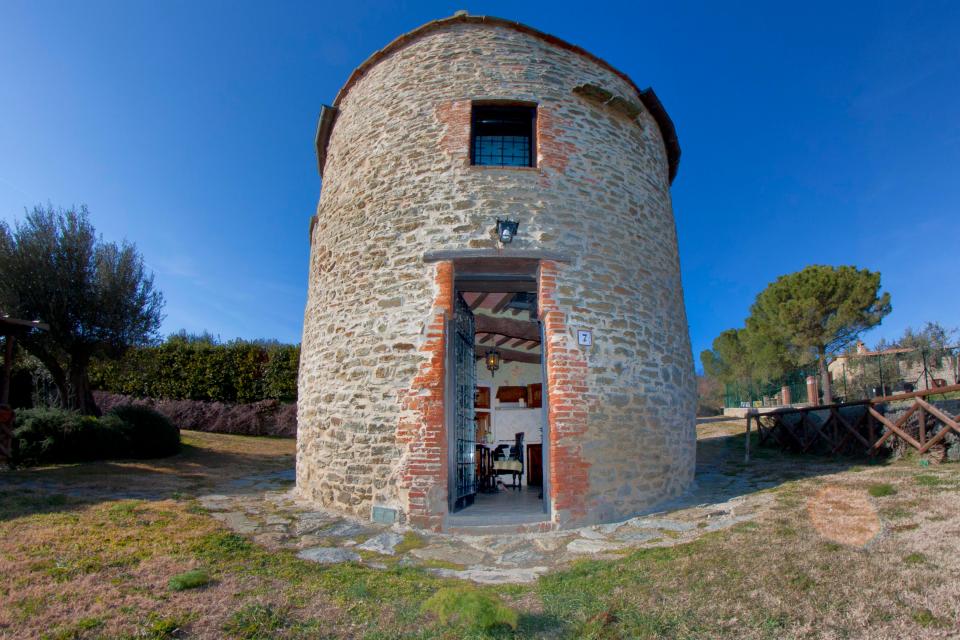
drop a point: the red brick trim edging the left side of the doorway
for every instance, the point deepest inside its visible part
(422, 432)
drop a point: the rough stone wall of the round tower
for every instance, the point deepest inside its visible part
(398, 183)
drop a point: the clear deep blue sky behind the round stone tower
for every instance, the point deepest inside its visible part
(824, 133)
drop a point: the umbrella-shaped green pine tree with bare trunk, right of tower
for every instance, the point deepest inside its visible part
(817, 312)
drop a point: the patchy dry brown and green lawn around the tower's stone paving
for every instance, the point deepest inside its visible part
(101, 567)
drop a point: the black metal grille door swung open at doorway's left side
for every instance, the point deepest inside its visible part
(465, 382)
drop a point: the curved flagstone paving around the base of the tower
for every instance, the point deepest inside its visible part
(725, 494)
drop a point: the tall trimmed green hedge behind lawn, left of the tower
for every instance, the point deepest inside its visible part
(185, 368)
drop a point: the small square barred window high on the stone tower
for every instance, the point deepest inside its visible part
(502, 136)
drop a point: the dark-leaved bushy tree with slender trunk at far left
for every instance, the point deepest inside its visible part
(95, 295)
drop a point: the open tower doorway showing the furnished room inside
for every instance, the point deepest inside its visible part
(499, 415)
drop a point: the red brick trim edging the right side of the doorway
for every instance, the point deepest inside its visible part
(567, 414)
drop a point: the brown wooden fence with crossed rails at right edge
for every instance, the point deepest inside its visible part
(857, 428)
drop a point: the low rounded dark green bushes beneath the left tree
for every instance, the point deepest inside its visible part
(48, 436)
